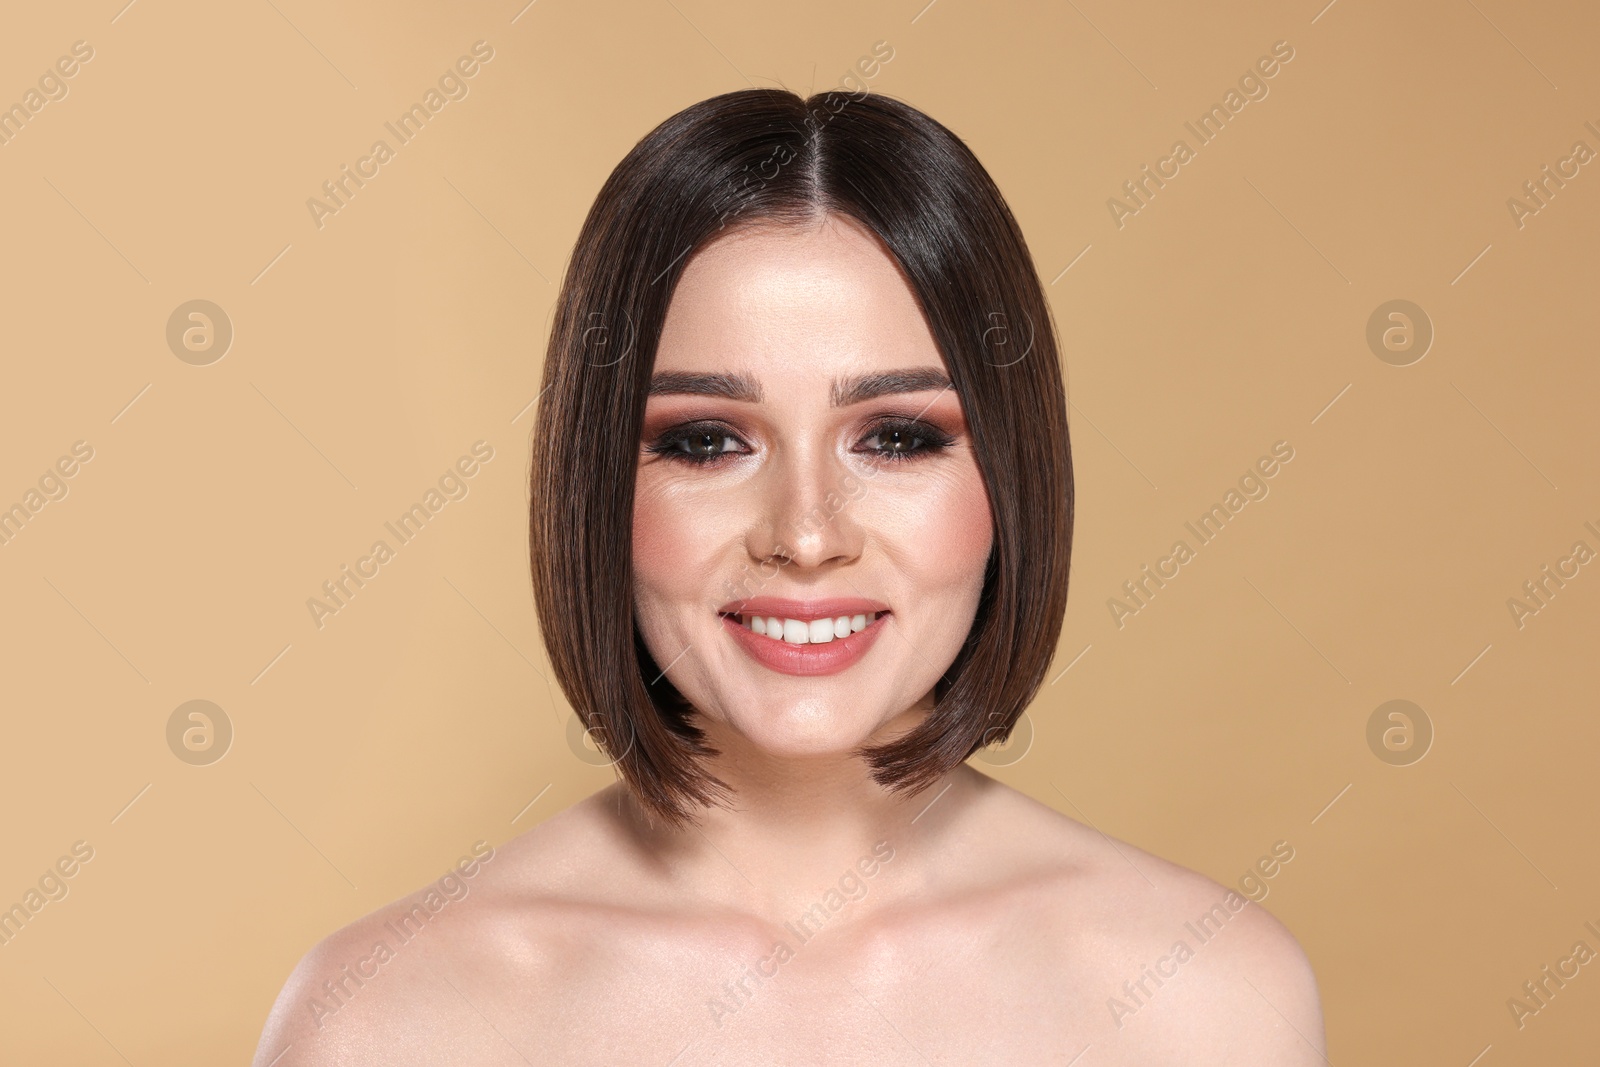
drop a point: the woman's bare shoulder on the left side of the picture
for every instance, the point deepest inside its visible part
(393, 986)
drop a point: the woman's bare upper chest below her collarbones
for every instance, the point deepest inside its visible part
(961, 994)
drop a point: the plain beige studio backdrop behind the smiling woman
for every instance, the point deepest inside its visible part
(370, 354)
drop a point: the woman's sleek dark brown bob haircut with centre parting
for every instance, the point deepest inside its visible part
(772, 158)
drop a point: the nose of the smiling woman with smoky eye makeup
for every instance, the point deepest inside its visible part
(807, 511)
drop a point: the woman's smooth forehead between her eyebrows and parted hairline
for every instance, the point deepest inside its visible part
(794, 302)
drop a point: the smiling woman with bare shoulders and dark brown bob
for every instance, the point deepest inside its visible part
(802, 514)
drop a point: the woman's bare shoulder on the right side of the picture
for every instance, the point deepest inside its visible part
(1167, 959)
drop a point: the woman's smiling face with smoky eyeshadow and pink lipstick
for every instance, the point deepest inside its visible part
(804, 462)
